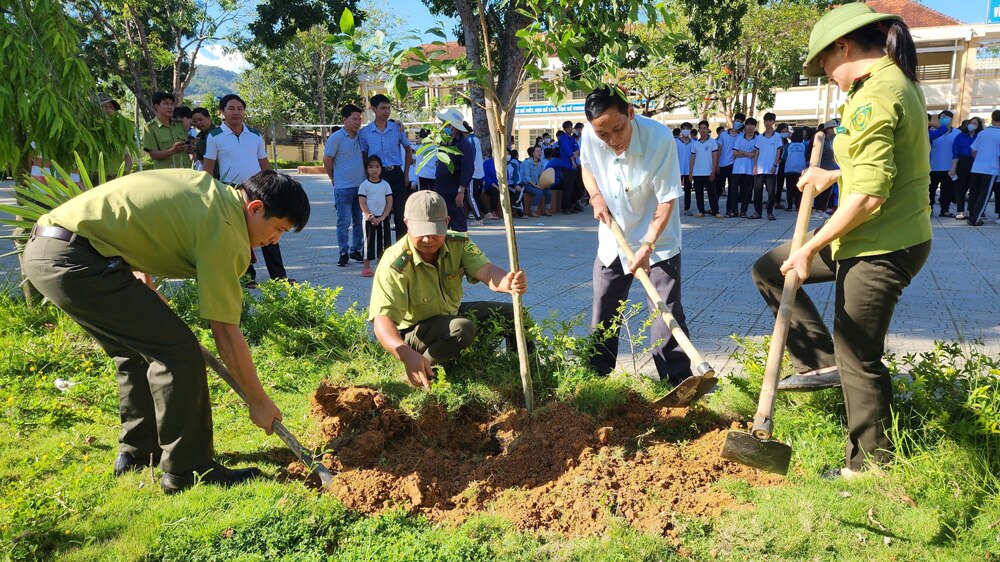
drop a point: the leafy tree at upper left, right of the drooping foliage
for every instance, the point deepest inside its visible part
(152, 45)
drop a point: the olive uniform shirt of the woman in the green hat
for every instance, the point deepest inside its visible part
(882, 150)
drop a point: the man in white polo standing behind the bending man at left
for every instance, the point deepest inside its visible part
(238, 152)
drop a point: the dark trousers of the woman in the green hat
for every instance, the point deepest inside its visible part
(867, 290)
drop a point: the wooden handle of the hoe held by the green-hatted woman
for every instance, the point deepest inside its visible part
(762, 425)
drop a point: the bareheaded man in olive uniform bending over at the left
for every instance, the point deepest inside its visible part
(86, 257)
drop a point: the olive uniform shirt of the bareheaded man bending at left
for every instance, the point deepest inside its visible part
(179, 224)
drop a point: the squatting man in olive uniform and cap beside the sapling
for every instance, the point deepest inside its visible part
(416, 304)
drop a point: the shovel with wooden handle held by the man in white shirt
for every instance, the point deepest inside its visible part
(694, 387)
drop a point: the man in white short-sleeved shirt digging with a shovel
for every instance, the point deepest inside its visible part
(631, 172)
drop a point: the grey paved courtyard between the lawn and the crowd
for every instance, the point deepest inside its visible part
(955, 297)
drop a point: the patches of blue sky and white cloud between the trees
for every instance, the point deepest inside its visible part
(416, 16)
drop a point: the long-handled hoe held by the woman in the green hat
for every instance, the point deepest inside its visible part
(756, 448)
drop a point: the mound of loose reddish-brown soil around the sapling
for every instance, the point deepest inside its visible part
(556, 470)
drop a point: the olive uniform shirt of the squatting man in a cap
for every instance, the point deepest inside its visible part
(409, 290)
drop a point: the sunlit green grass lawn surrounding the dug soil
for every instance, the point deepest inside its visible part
(58, 500)
